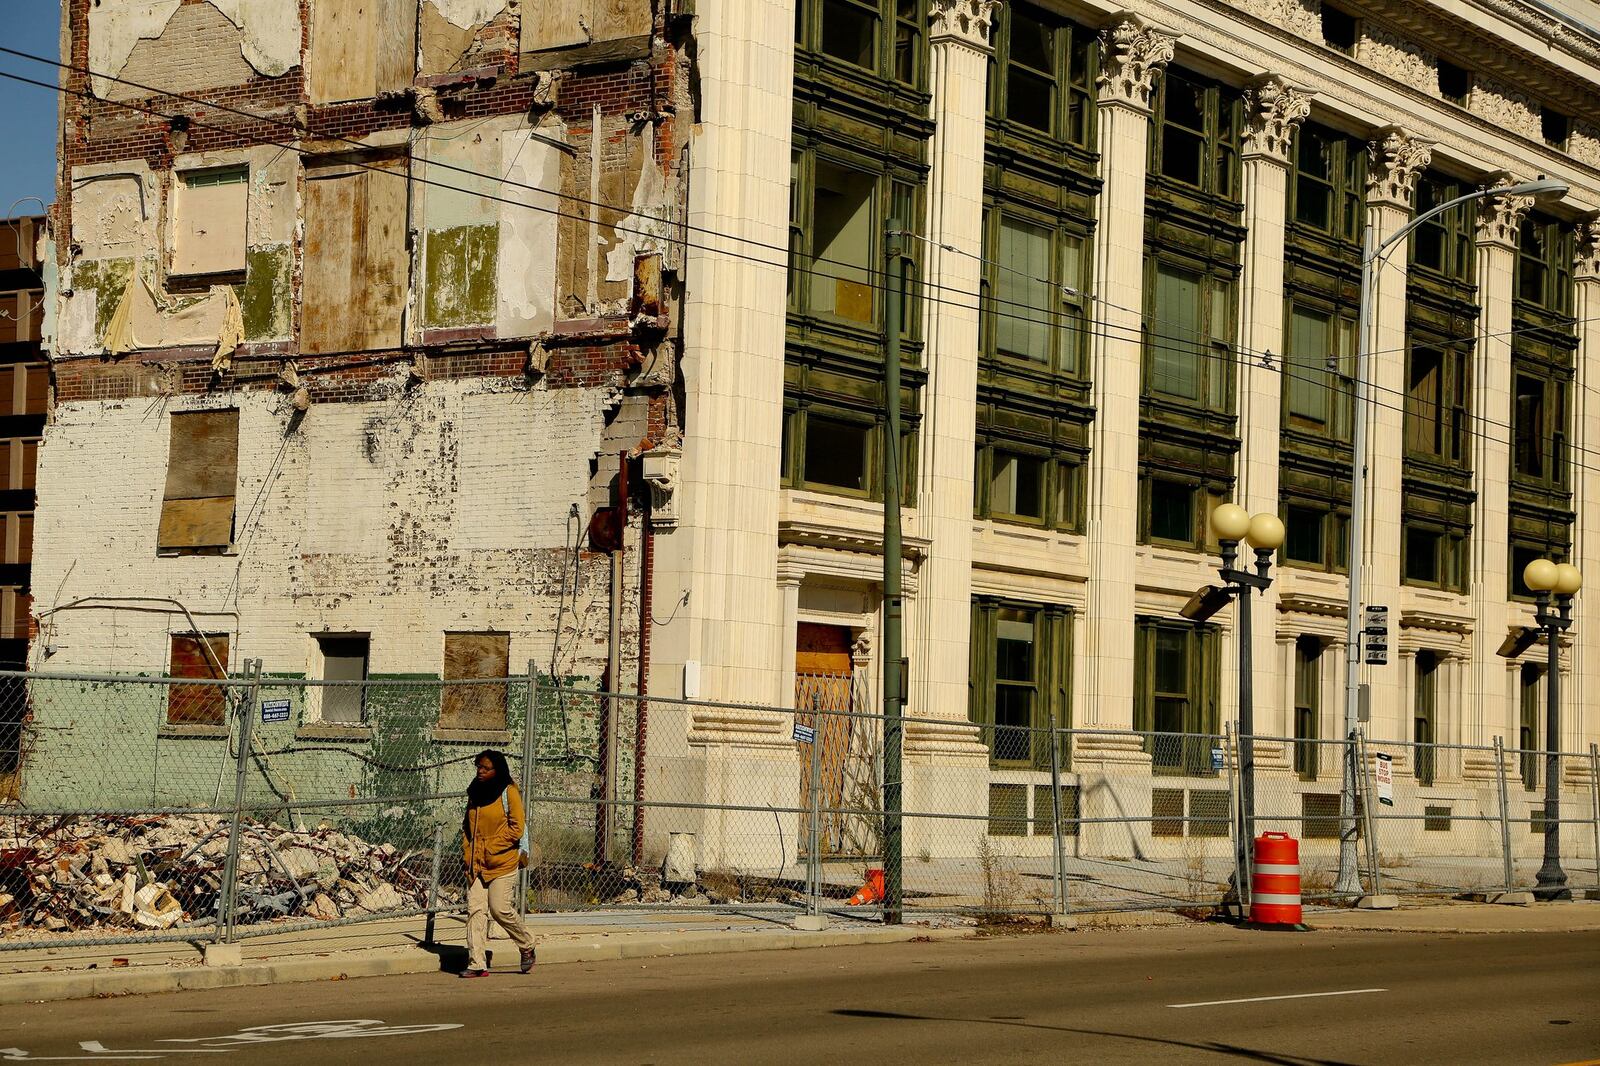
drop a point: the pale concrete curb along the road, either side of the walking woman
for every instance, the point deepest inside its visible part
(399, 961)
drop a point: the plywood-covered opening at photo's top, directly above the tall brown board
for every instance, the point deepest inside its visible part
(361, 49)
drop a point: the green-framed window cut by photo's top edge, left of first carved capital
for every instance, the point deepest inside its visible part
(854, 33)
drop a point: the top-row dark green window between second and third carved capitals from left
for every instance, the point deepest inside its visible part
(1196, 134)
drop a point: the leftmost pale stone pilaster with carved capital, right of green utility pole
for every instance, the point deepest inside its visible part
(956, 191)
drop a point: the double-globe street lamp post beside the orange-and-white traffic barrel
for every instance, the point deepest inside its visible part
(1265, 534)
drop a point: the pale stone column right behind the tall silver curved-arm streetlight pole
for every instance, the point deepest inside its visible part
(1396, 162)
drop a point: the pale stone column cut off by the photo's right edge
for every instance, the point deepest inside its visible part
(1580, 718)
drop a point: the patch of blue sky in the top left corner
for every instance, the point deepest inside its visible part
(28, 121)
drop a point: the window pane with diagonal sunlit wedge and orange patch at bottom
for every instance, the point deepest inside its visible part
(842, 242)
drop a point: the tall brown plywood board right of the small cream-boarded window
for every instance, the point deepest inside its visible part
(356, 257)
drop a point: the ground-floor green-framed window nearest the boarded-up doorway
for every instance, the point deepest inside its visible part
(1022, 679)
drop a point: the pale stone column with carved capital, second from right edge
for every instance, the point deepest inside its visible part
(1492, 415)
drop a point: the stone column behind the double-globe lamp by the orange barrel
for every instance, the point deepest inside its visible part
(1274, 111)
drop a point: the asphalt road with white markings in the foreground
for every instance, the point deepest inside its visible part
(1049, 998)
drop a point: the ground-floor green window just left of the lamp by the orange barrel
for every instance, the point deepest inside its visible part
(1177, 697)
